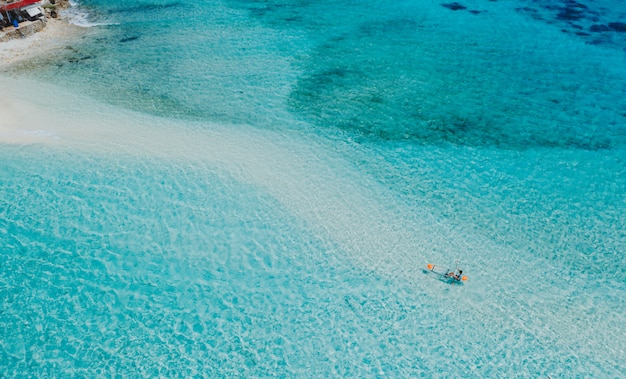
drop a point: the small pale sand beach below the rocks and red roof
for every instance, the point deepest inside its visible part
(56, 35)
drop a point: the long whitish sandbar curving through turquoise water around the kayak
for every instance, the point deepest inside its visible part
(318, 186)
